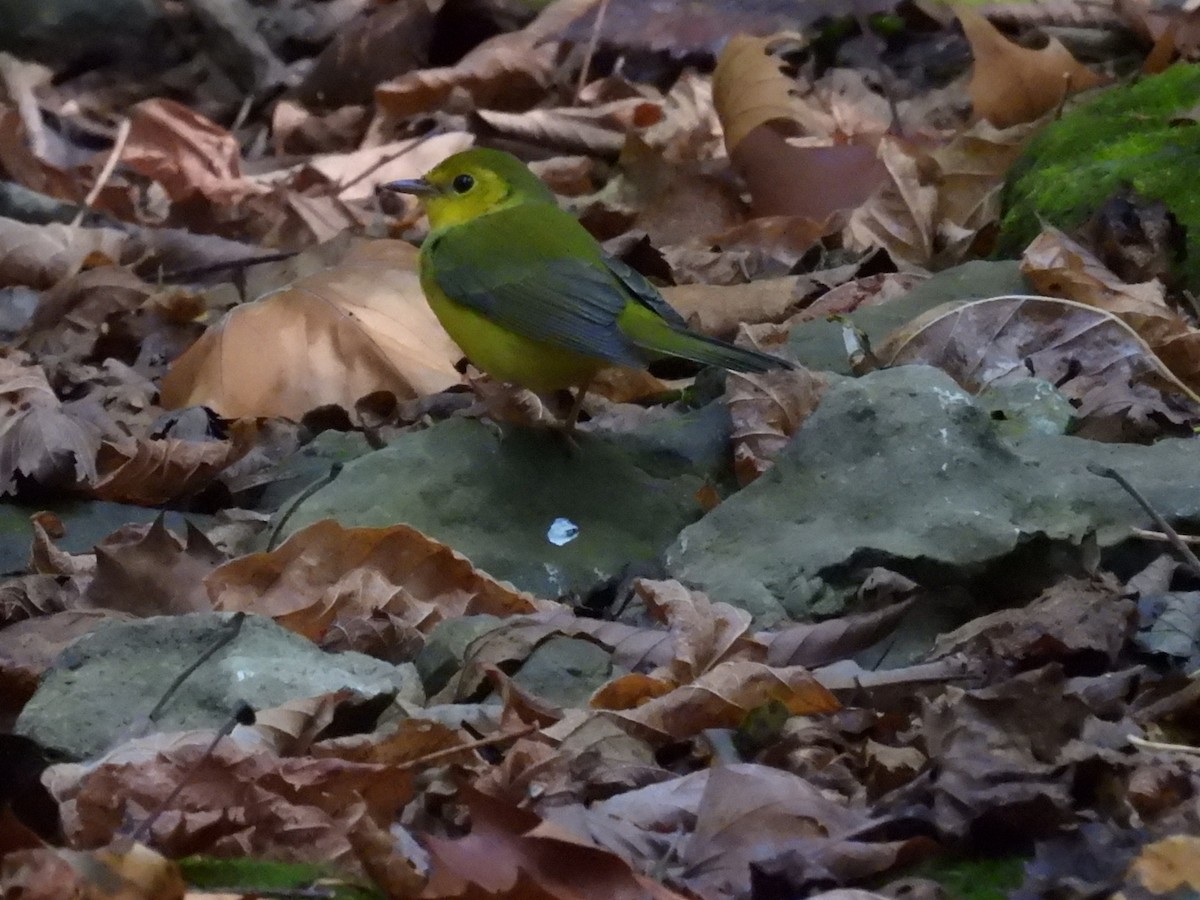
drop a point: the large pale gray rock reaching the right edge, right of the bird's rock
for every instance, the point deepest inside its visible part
(903, 469)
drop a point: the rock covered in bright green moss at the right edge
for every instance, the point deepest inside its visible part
(1142, 136)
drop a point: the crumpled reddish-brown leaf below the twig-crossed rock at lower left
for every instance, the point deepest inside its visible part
(236, 801)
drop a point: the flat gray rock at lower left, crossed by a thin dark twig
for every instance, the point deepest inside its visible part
(105, 685)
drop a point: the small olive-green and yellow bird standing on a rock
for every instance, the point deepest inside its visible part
(531, 297)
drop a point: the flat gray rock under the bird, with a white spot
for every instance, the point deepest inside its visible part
(527, 509)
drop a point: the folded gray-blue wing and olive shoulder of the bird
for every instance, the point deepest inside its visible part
(539, 275)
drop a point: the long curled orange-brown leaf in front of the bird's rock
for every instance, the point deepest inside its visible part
(326, 575)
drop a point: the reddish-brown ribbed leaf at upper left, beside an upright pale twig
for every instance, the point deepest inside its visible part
(185, 153)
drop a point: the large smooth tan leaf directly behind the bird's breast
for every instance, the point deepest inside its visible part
(332, 338)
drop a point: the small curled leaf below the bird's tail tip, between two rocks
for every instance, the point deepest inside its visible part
(767, 410)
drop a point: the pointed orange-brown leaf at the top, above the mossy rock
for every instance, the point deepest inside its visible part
(1012, 85)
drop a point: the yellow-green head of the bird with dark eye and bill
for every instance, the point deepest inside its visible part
(472, 184)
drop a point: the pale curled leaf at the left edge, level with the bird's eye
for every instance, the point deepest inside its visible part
(39, 256)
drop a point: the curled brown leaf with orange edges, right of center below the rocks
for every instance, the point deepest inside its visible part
(719, 699)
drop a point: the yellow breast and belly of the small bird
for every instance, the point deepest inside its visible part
(505, 355)
